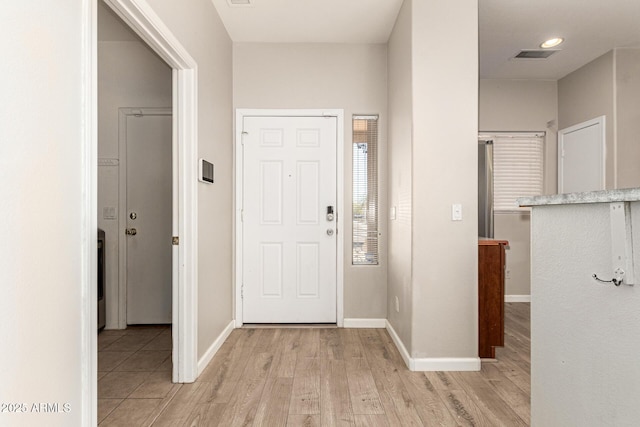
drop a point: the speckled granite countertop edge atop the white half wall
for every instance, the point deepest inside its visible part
(604, 196)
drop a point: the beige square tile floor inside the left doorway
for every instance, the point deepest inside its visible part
(134, 374)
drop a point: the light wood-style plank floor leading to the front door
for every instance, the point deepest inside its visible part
(327, 377)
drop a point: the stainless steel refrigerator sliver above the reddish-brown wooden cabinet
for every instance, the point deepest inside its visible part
(485, 188)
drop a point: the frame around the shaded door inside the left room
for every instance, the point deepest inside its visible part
(123, 114)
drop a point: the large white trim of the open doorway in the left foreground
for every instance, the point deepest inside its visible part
(146, 23)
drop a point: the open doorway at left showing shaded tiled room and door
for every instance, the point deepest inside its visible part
(134, 194)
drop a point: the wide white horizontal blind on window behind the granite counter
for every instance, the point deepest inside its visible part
(517, 169)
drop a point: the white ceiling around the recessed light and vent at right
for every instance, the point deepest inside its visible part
(590, 29)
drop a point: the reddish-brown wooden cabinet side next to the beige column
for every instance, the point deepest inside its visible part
(491, 261)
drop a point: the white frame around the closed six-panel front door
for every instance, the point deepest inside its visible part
(340, 218)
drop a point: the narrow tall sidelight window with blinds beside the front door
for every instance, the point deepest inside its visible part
(365, 190)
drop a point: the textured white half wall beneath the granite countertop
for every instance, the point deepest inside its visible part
(584, 334)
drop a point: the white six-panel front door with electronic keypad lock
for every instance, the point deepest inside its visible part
(289, 240)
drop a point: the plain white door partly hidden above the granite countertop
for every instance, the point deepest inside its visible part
(581, 158)
